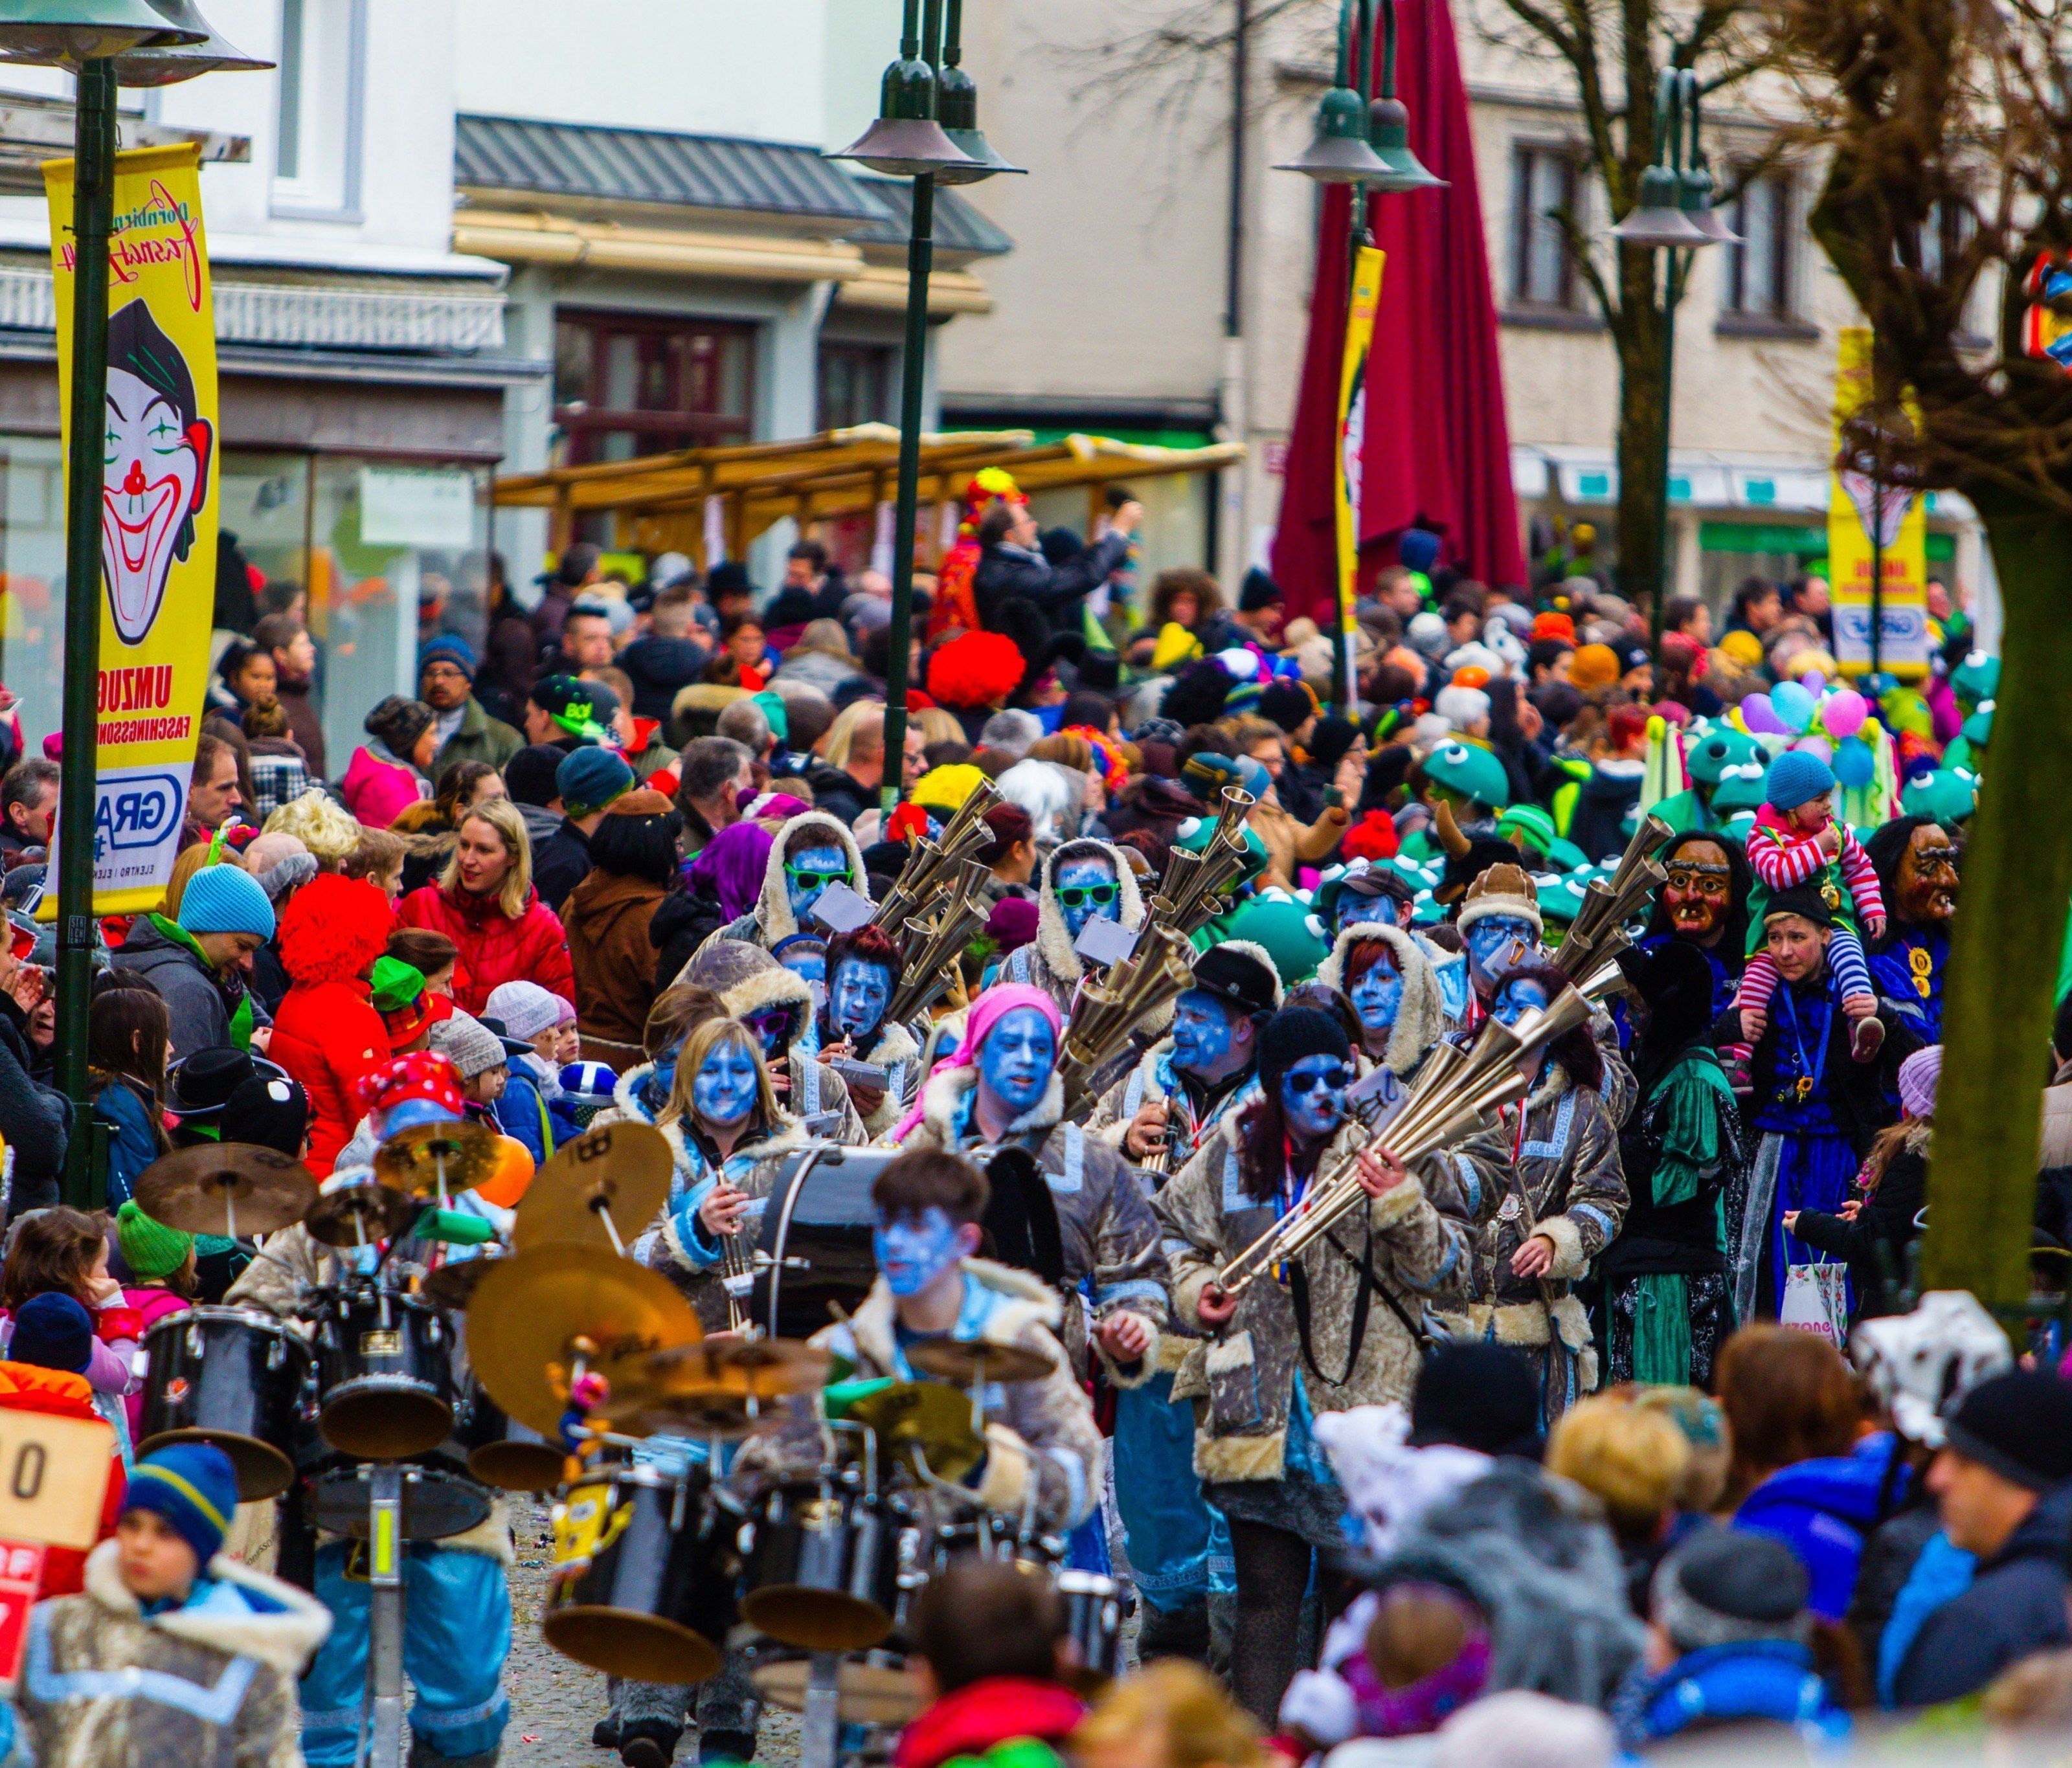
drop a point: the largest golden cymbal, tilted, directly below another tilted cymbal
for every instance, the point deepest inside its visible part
(531, 1311)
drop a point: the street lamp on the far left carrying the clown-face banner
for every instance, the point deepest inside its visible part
(105, 45)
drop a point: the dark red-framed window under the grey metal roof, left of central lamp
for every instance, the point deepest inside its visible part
(635, 384)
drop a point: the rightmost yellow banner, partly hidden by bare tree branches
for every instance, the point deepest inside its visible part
(1855, 507)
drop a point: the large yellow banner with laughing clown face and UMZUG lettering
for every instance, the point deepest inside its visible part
(159, 509)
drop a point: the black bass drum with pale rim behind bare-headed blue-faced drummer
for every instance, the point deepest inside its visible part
(813, 1253)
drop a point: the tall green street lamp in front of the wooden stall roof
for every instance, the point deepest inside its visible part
(909, 142)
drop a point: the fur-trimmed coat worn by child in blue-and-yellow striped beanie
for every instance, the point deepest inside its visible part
(206, 1684)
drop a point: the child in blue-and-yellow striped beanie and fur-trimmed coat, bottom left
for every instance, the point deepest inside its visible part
(173, 1653)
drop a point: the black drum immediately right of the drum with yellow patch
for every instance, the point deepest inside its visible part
(824, 1572)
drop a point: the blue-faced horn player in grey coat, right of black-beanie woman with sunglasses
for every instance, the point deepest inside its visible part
(1557, 1201)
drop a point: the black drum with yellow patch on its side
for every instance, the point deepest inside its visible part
(647, 1572)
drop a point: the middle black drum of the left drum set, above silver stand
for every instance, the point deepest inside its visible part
(384, 1375)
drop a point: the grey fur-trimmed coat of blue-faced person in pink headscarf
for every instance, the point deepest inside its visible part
(1103, 1214)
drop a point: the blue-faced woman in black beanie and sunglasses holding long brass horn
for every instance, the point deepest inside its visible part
(1331, 1330)
